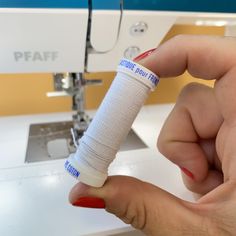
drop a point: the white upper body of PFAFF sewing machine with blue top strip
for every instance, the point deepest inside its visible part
(45, 36)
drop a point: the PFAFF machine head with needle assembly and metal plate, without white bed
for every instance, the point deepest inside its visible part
(70, 38)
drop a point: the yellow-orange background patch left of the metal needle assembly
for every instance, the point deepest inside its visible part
(26, 94)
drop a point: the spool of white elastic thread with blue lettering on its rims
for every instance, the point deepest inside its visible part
(111, 124)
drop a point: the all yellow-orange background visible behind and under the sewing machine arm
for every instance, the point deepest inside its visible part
(26, 93)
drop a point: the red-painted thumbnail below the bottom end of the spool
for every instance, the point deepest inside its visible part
(90, 202)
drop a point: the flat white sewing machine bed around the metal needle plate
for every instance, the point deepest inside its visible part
(33, 197)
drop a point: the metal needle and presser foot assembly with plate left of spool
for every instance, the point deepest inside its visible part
(55, 140)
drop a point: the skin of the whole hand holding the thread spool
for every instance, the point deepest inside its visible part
(199, 135)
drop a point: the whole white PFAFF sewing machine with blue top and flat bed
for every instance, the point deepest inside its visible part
(69, 38)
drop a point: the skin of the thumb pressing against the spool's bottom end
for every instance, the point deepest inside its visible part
(145, 206)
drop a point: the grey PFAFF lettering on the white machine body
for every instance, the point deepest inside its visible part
(35, 56)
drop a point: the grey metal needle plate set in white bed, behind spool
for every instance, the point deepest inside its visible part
(51, 141)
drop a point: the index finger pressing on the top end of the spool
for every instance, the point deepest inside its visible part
(204, 57)
